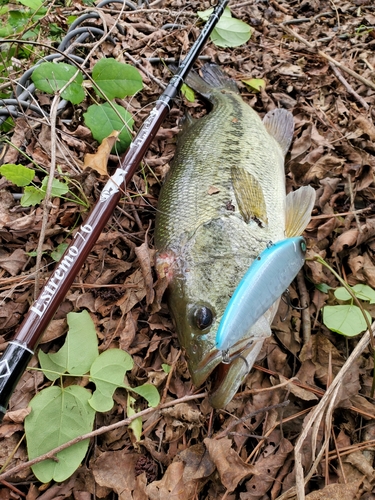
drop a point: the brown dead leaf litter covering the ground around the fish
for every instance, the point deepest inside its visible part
(304, 413)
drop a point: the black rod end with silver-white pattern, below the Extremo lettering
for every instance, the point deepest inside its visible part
(13, 363)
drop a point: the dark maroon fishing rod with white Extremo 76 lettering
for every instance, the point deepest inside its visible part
(20, 350)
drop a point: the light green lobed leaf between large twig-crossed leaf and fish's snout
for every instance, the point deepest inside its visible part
(108, 372)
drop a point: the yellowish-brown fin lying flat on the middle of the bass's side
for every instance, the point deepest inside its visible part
(249, 196)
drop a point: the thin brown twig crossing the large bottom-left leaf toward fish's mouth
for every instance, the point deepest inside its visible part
(102, 430)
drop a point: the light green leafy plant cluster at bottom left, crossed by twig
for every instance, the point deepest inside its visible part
(61, 413)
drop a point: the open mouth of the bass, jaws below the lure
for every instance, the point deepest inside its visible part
(226, 378)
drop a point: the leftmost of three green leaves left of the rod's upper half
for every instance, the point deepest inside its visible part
(52, 77)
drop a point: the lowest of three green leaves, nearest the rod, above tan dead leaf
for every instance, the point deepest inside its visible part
(102, 120)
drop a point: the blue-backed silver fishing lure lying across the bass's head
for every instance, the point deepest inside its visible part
(264, 282)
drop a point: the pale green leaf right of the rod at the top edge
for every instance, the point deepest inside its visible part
(229, 31)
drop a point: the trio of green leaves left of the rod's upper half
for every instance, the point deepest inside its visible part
(111, 79)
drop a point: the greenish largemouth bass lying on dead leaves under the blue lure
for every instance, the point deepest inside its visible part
(222, 202)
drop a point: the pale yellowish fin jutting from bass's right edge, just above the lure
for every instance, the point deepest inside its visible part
(299, 205)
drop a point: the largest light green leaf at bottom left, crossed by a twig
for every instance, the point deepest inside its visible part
(57, 416)
